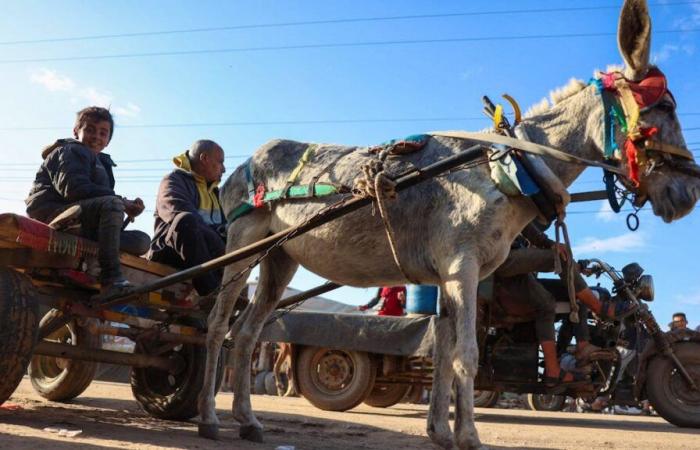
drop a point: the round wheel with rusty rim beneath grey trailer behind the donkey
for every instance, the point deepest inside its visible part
(334, 380)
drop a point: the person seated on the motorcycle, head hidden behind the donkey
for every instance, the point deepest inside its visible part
(533, 252)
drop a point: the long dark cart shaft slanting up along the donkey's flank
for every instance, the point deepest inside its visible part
(412, 178)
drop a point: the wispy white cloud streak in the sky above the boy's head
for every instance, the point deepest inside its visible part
(91, 95)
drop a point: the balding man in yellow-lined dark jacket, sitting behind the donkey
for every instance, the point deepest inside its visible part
(190, 226)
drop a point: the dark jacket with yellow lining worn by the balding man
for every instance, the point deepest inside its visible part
(183, 191)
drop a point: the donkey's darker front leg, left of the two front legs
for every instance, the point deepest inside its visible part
(443, 374)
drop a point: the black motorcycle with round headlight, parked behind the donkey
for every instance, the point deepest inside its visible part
(666, 370)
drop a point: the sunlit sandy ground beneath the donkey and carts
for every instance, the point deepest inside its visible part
(110, 418)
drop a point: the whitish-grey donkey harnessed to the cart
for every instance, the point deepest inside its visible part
(452, 231)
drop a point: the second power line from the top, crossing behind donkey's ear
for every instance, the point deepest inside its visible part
(322, 46)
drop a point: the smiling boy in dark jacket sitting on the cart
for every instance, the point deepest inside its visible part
(75, 183)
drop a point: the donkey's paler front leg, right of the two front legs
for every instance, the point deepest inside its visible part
(462, 292)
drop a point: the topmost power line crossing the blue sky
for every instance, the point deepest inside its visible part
(327, 22)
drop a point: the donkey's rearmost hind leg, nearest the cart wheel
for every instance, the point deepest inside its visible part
(252, 229)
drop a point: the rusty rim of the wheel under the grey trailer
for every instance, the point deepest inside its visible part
(333, 371)
